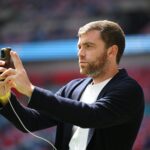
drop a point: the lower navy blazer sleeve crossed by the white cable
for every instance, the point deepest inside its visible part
(31, 118)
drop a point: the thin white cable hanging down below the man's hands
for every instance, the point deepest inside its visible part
(29, 130)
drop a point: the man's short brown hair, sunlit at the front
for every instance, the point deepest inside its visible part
(110, 32)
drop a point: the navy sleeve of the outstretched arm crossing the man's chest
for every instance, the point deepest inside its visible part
(120, 104)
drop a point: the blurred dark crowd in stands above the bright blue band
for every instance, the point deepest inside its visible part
(36, 20)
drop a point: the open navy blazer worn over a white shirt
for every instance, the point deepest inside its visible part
(114, 119)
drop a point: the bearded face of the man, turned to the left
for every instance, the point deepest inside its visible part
(92, 54)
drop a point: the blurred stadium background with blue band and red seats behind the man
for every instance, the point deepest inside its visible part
(43, 32)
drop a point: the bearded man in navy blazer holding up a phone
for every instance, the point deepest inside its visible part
(101, 112)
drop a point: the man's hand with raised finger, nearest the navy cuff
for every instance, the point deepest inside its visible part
(17, 78)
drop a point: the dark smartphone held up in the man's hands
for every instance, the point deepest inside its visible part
(5, 56)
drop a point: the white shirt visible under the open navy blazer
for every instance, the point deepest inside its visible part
(89, 96)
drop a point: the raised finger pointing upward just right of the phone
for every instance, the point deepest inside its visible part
(16, 60)
